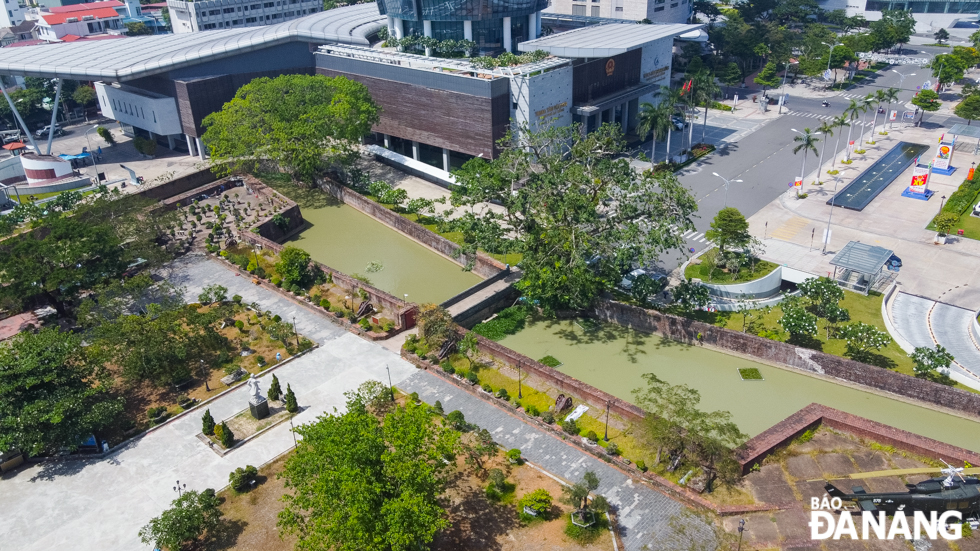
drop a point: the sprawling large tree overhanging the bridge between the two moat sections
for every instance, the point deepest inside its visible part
(574, 207)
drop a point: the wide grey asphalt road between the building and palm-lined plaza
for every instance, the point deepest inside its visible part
(765, 161)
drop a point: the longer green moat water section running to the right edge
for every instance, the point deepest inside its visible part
(613, 358)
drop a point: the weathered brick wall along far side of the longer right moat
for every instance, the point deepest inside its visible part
(787, 355)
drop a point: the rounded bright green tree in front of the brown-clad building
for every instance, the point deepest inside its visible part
(306, 124)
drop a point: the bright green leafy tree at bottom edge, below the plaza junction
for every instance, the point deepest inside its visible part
(359, 483)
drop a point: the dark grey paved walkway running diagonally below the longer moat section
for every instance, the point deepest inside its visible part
(644, 513)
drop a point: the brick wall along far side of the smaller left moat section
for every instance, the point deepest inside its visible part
(483, 265)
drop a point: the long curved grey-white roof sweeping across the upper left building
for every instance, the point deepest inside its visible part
(135, 57)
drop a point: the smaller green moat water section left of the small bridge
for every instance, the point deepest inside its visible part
(347, 240)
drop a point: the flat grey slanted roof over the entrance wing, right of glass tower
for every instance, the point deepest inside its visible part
(604, 40)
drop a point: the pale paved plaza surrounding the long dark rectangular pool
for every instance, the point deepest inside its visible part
(786, 224)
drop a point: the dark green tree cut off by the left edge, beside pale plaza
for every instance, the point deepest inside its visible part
(51, 397)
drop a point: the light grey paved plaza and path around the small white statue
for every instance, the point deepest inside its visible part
(101, 504)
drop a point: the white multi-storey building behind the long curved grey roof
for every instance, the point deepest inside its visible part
(189, 17)
